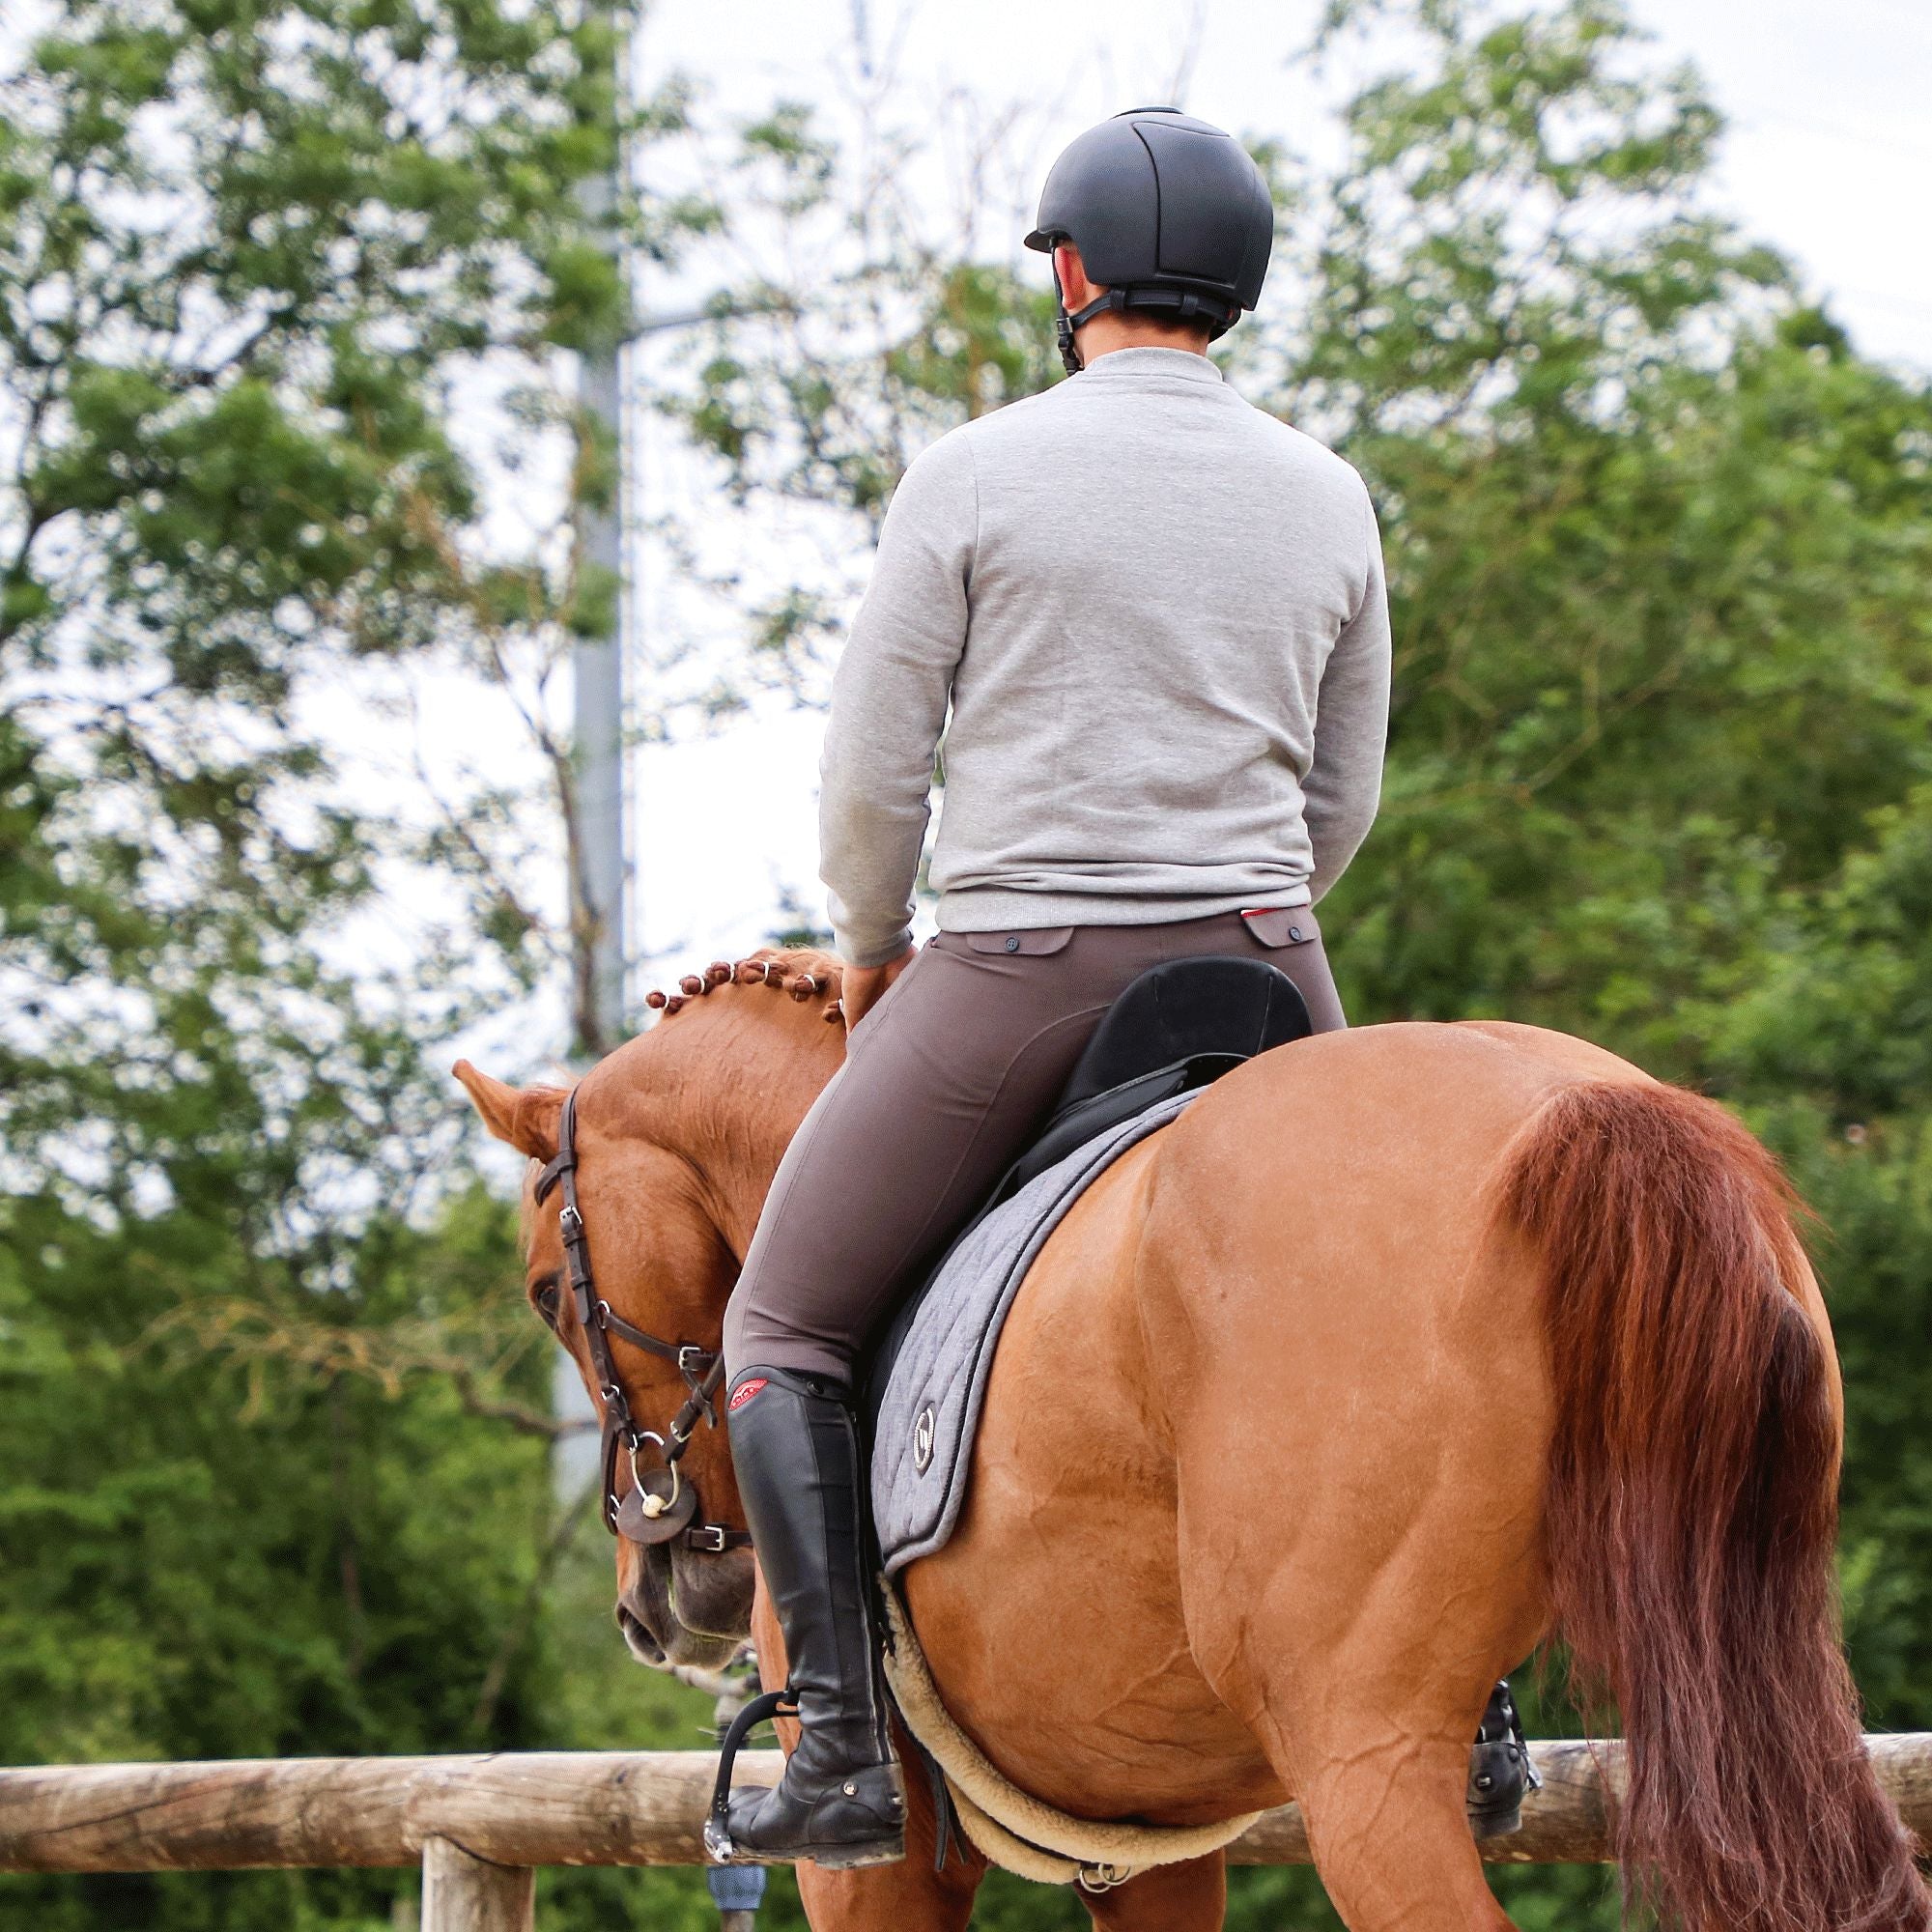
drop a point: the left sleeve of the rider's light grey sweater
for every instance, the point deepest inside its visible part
(890, 704)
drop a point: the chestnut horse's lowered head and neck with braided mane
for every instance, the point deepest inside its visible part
(677, 1137)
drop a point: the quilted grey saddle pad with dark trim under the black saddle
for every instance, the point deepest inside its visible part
(923, 1450)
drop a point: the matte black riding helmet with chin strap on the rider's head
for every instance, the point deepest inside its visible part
(1168, 213)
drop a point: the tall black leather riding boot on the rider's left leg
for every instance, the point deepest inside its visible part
(841, 1800)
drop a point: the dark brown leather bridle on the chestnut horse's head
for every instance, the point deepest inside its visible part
(660, 1504)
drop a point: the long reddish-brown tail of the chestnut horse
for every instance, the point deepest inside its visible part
(1691, 1516)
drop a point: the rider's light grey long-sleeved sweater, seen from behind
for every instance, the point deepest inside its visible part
(1160, 623)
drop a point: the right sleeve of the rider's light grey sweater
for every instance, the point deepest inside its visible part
(1344, 783)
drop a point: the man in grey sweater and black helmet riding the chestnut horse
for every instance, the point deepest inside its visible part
(1158, 621)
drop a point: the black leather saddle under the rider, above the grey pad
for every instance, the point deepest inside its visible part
(1176, 1029)
